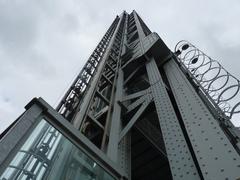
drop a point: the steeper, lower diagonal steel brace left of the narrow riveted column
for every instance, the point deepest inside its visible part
(135, 118)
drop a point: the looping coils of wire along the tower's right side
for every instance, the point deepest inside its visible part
(222, 88)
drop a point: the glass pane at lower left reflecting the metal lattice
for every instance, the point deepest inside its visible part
(47, 154)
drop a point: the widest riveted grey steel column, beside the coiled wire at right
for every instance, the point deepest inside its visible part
(216, 156)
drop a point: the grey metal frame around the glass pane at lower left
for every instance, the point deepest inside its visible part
(37, 110)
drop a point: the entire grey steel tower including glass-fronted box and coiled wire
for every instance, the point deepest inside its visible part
(137, 110)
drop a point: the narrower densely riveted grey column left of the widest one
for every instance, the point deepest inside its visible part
(180, 159)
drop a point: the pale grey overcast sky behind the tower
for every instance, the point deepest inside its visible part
(44, 43)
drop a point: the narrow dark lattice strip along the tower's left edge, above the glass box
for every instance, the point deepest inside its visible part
(73, 96)
